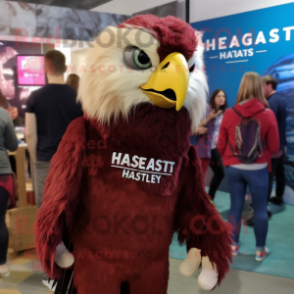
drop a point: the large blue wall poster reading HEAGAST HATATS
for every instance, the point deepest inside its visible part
(260, 41)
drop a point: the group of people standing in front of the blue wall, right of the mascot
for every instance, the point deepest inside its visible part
(247, 143)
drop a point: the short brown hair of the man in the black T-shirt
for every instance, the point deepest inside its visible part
(55, 62)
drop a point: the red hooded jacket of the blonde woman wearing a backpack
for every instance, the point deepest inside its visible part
(269, 131)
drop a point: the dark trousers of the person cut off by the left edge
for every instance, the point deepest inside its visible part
(4, 237)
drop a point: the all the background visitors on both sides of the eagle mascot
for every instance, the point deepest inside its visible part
(246, 143)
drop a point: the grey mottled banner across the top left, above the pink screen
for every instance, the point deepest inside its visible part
(50, 22)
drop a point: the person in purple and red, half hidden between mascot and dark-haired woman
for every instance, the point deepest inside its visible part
(202, 140)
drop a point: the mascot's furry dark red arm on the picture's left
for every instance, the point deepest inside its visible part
(61, 196)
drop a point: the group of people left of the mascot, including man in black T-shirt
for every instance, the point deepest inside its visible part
(49, 111)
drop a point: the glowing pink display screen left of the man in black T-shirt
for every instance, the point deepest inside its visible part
(30, 70)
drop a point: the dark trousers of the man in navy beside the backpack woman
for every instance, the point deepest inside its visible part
(279, 173)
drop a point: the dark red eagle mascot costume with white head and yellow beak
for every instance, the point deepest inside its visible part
(125, 177)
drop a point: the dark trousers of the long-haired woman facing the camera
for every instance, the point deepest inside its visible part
(218, 172)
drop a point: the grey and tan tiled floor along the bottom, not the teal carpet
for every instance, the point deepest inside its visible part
(26, 278)
